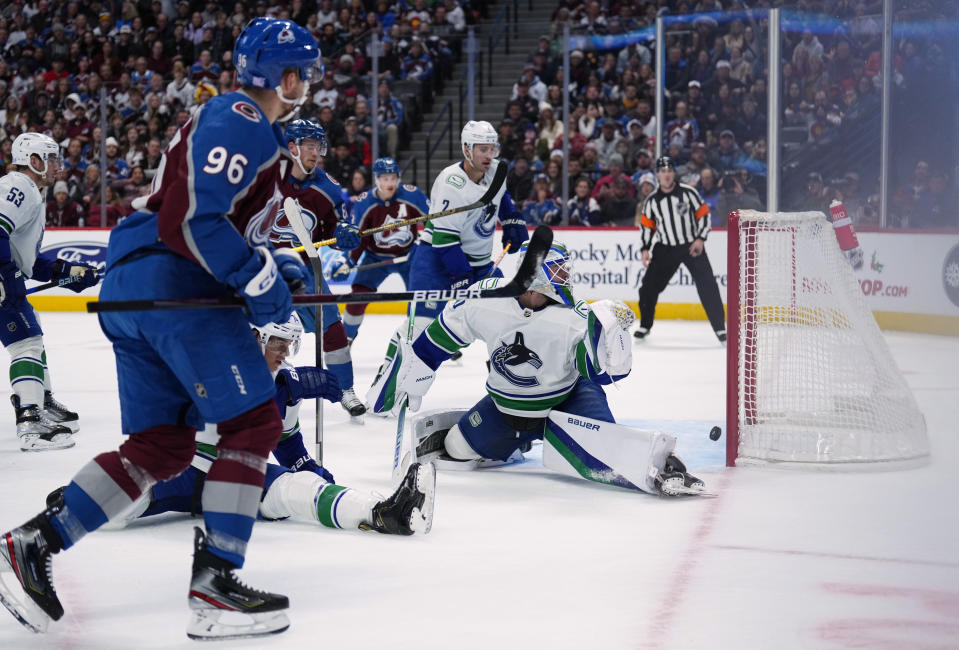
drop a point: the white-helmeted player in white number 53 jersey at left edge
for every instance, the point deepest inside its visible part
(42, 422)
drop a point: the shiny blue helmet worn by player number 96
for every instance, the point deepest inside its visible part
(267, 47)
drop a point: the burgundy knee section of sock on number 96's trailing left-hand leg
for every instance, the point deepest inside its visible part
(162, 451)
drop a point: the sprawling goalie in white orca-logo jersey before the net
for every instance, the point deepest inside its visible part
(549, 356)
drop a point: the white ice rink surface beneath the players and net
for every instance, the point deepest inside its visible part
(521, 559)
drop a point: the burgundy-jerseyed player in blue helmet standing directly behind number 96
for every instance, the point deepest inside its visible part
(322, 207)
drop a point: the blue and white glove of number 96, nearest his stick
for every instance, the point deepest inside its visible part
(257, 281)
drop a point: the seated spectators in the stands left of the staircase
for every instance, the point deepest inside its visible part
(159, 60)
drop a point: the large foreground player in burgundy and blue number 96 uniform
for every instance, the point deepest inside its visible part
(202, 232)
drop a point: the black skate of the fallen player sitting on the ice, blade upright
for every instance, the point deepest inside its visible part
(410, 509)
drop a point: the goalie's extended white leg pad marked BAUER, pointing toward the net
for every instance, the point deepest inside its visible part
(605, 452)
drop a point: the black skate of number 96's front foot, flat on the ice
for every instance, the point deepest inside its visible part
(223, 607)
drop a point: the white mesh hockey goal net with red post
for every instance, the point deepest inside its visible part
(811, 380)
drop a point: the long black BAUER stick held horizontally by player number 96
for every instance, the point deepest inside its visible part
(539, 244)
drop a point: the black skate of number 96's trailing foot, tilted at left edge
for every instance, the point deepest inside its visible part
(26, 574)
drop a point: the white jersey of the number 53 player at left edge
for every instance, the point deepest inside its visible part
(22, 217)
